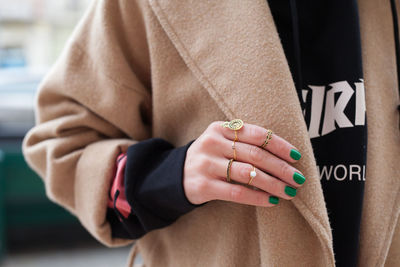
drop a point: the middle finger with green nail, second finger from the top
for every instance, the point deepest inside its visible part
(264, 161)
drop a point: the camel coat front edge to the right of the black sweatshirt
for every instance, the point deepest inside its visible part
(381, 206)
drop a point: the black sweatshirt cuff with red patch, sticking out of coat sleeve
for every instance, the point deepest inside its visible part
(152, 195)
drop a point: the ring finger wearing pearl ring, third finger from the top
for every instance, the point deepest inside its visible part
(240, 172)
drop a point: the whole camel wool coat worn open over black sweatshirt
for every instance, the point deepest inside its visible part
(136, 69)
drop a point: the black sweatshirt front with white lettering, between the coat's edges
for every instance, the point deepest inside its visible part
(321, 40)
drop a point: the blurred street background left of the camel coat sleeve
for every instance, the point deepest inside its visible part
(34, 231)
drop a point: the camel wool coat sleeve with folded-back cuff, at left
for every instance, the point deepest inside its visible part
(93, 105)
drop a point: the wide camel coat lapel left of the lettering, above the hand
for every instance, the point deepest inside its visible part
(234, 50)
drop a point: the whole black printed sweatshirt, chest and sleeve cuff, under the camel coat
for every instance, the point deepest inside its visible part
(321, 40)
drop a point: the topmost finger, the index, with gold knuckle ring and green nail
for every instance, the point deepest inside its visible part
(256, 135)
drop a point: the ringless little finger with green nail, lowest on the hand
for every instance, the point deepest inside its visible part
(241, 194)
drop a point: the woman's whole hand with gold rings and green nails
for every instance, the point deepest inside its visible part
(207, 159)
